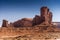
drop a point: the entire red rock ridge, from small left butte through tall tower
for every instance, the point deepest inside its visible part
(44, 19)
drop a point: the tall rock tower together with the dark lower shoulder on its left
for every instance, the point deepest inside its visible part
(45, 18)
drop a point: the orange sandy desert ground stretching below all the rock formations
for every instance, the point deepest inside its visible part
(30, 33)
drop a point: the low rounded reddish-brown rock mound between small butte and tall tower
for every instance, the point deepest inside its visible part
(25, 22)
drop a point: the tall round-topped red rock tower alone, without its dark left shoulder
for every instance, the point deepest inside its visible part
(47, 15)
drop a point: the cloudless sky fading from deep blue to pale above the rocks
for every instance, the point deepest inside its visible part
(13, 10)
